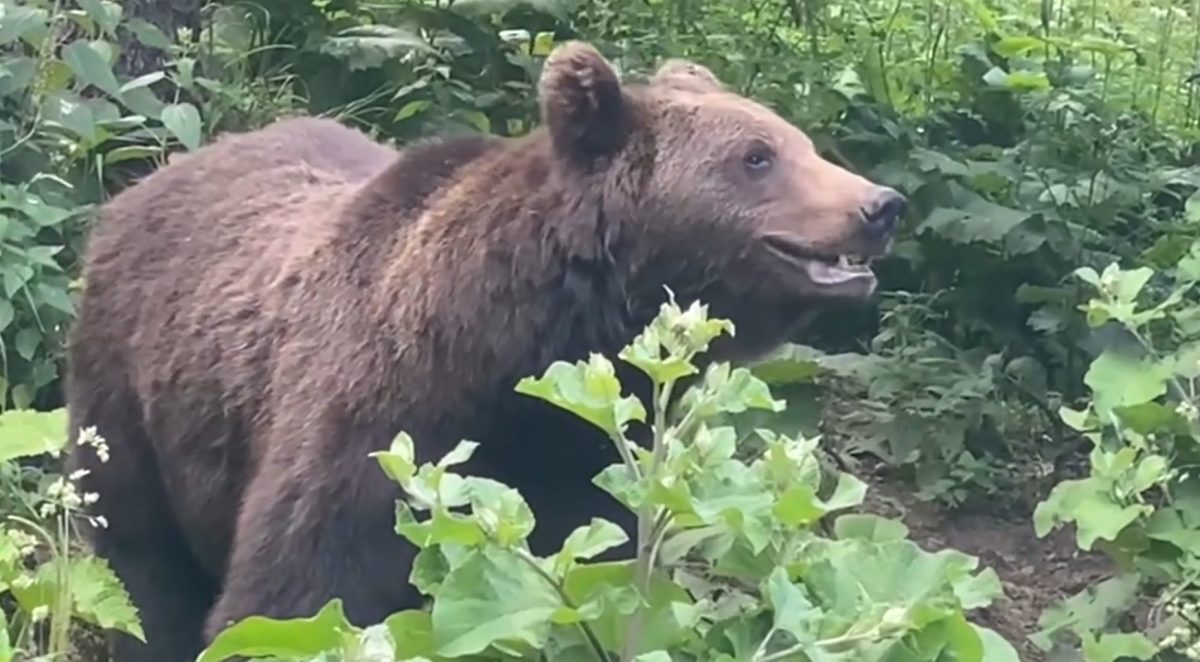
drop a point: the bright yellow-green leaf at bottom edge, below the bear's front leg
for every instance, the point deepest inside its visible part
(263, 637)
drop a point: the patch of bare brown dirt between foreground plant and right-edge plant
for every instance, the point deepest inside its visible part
(1036, 573)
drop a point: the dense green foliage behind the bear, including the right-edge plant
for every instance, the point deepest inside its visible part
(1039, 141)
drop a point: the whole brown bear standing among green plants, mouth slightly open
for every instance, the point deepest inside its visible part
(263, 314)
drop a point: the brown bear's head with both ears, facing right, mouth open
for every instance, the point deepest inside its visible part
(713, 195)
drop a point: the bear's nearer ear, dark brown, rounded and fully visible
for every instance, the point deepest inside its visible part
(583, 103)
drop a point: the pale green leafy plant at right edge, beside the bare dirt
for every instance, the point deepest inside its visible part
(1139, 504)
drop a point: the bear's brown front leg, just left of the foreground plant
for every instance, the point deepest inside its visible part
(313, 529)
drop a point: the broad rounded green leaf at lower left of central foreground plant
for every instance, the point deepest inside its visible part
(493, 598)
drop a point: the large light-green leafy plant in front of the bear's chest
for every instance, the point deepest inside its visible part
(731, 562)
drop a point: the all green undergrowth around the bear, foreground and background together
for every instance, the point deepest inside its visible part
(993, 460)
